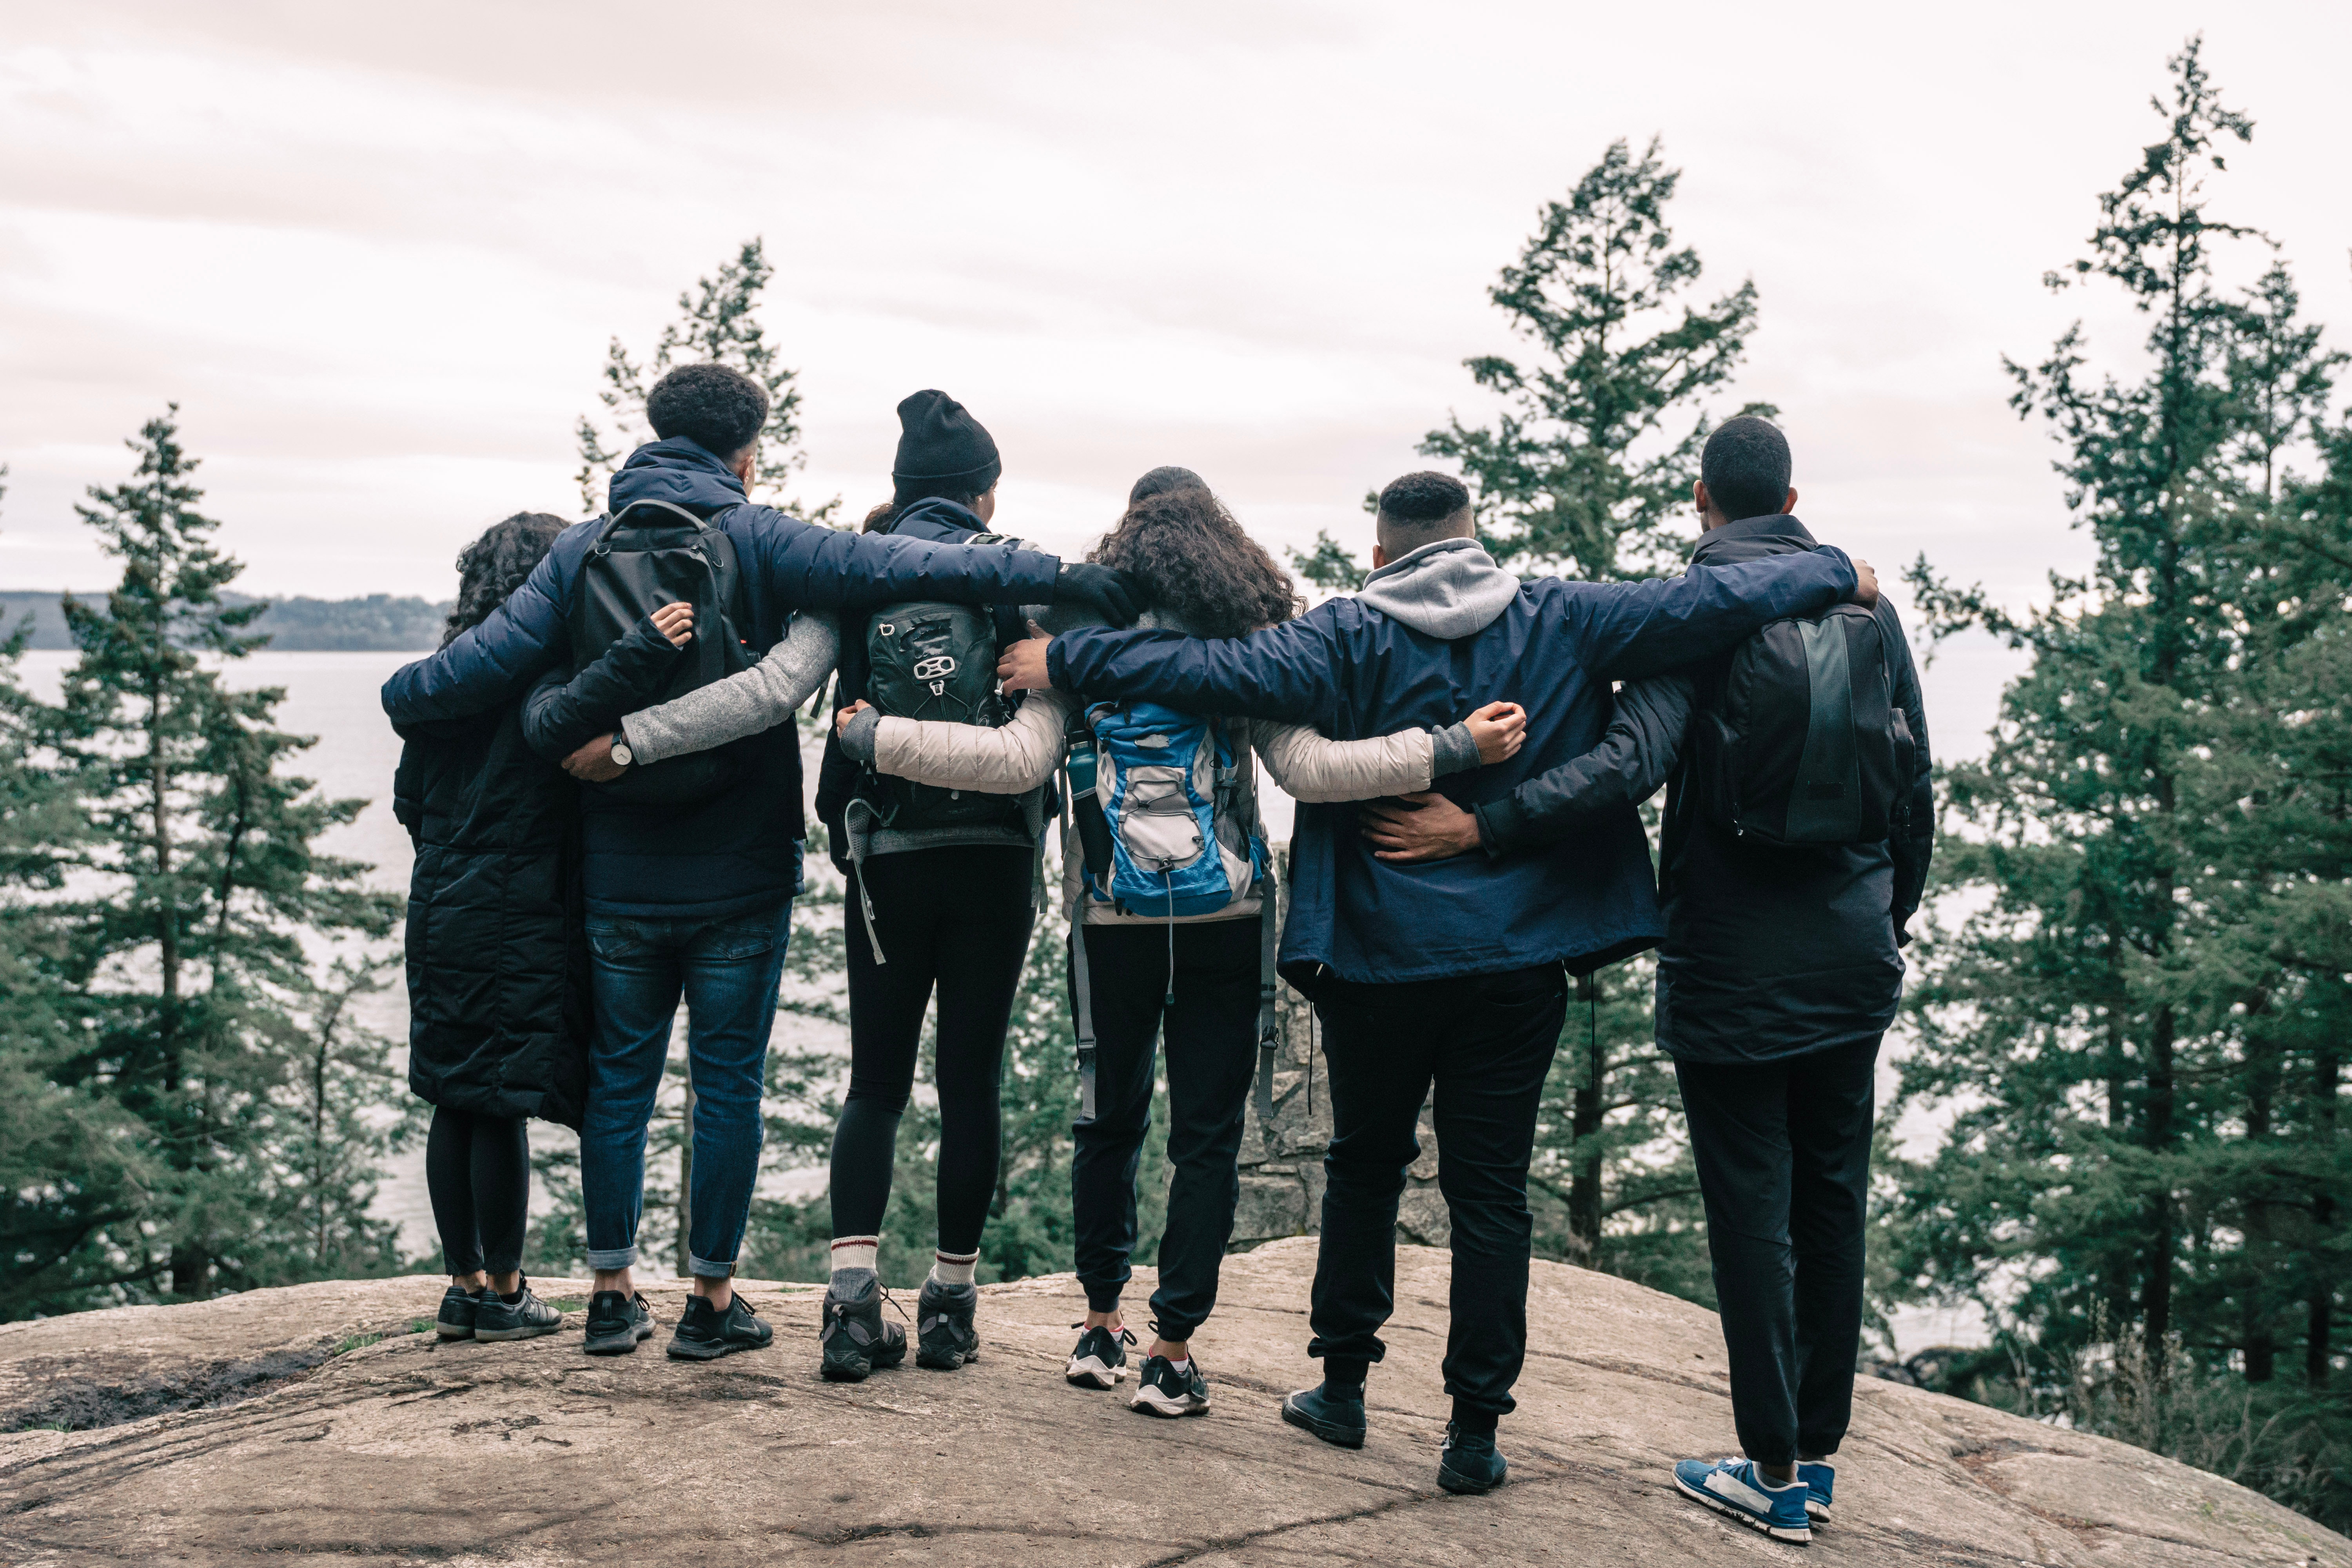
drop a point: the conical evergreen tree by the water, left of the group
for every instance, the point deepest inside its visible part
(199, 897)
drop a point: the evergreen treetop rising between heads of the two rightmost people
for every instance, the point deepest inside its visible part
(1589, 462)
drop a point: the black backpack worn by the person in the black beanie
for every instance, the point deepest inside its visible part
(937, 662)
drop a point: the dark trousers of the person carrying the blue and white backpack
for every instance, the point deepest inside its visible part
(1212, 1036)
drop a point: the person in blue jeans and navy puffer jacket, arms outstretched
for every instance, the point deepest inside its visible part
(697, 902)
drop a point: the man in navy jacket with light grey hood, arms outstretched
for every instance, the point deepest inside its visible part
(1445, 974)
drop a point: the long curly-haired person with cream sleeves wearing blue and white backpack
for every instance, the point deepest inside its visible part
(1191, 977)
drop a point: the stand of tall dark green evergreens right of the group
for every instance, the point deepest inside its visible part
(2139, 1021)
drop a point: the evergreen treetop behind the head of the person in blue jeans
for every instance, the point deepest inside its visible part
(719, 323)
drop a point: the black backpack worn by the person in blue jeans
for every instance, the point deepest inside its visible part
(648, 556)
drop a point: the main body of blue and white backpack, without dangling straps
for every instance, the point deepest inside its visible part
(1170, 789)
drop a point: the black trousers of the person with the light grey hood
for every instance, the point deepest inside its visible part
(1488, 1045)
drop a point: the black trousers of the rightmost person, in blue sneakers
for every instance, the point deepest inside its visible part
(1784, 1162)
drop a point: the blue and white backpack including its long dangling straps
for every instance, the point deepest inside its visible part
(1168, 822)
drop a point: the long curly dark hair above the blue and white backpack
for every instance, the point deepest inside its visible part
(1196, 563)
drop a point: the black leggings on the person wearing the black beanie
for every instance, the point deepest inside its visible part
(956, 918)
